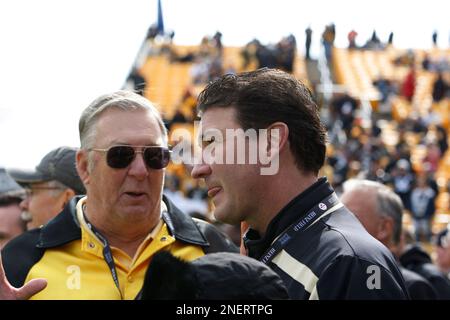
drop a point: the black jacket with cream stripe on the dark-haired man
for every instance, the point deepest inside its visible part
(335, 258)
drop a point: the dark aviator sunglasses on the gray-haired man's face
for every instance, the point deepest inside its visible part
(119, 157)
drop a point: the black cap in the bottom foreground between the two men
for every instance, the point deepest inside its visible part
(214, 276)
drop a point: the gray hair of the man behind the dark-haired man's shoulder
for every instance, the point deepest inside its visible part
(388, 203)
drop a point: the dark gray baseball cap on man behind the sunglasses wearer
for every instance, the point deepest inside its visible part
(58, 164)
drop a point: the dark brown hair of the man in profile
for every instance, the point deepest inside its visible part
(265, 96)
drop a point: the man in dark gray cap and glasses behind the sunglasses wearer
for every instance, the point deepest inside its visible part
(50, 186)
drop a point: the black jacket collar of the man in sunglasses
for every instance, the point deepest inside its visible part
(64, 228)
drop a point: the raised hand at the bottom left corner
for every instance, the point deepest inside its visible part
(8, 292)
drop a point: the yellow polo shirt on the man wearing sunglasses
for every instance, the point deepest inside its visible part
(77, 270)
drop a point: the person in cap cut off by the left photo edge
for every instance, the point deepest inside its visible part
(11, 223)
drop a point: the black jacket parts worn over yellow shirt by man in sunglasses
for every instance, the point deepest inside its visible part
(23, 252)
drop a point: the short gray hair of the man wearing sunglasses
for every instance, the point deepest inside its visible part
(123, 100)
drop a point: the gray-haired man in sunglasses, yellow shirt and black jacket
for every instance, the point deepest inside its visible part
(100, 245)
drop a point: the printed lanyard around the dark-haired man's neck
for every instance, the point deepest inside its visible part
(324, 207)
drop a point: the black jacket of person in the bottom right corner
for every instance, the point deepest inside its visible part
(417, 260)
